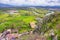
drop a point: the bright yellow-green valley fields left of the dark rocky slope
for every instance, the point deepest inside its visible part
(20, 20)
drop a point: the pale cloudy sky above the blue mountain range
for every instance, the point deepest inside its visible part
(32, 2)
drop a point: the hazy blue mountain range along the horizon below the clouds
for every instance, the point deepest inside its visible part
(25, 6)
